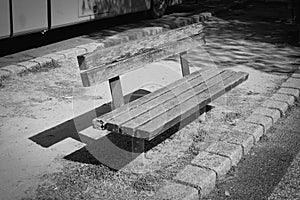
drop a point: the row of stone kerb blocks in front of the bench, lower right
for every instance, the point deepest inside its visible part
(209, 166)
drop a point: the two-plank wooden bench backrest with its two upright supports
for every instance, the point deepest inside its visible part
(107, 64)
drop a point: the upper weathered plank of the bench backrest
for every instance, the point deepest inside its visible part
(102, 56)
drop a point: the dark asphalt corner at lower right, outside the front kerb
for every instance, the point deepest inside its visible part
(271, 168)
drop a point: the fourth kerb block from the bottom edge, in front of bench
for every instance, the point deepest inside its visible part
(232, 151)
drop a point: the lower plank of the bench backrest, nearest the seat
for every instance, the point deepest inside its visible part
(102, 73)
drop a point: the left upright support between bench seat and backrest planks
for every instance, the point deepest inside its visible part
(116, 92)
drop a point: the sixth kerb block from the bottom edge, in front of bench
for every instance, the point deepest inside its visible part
(253, 129)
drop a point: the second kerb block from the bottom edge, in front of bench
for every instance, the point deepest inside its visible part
(201, 178)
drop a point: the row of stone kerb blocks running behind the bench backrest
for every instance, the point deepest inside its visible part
(52, 60)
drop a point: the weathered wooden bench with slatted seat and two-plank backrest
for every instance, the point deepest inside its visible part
(156, 112)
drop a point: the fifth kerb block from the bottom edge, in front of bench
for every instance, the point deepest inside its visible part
(244, 139)
